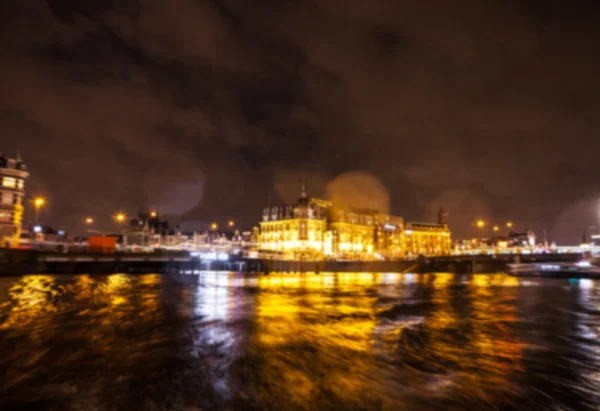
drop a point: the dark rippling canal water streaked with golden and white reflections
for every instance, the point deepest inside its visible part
(299, 342)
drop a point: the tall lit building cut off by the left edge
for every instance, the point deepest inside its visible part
(12, 190)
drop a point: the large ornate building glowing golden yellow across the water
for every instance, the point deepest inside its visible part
(314, 229)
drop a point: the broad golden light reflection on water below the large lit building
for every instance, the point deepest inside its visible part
(320, 311)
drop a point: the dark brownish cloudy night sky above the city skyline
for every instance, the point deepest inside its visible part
(205, 109)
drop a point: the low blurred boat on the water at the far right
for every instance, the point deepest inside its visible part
(588, 268)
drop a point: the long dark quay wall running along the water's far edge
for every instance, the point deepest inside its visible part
(18, 262)
